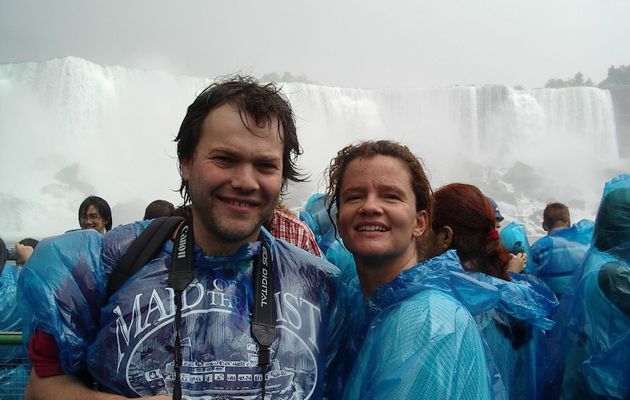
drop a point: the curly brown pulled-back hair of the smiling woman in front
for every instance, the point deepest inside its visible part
(419, 181)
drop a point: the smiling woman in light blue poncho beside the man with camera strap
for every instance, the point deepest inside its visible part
(421, 342)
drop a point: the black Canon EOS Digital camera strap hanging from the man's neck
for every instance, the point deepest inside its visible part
(264, 325)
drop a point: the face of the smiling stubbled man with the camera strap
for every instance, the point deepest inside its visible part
(234, 179)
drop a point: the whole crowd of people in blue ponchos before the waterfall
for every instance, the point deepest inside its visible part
(381, 288)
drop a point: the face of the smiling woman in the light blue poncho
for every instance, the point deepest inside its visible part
(377, 210)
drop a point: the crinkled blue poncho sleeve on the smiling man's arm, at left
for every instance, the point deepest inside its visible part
(61, 290)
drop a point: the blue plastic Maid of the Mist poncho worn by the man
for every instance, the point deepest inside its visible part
(124, 341)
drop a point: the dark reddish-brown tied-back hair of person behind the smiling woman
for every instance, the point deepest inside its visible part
(470, 215)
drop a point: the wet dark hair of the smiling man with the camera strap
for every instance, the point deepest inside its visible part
(263, 102)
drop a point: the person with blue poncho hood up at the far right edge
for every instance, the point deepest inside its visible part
(598, 363)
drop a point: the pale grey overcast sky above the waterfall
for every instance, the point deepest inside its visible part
(363, 44)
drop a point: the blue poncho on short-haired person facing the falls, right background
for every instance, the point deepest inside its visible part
(555, 257)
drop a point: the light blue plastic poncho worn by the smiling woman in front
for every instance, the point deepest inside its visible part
(420, 340)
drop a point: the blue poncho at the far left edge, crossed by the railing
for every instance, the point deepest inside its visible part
(14, 367)
